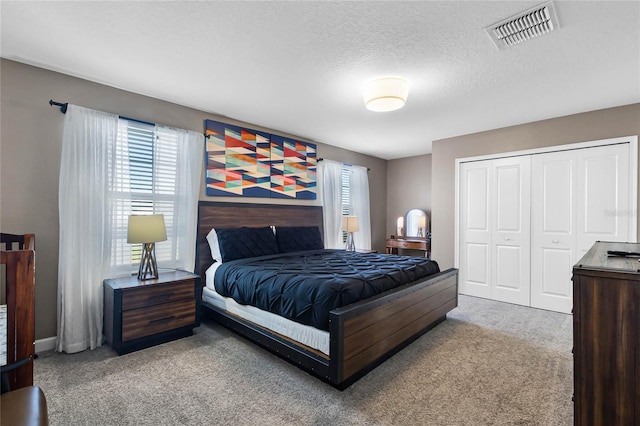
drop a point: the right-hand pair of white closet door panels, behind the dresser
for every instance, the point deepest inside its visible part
(578, 197)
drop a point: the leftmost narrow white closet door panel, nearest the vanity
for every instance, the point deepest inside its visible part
(475, 228)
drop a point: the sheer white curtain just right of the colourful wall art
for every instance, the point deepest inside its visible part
(332, 203)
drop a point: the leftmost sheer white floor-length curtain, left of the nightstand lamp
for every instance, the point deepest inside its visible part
(88, 147)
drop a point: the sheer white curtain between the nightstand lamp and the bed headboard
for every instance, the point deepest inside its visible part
(189, 159)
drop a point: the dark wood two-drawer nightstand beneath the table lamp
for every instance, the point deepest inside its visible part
(139, 314)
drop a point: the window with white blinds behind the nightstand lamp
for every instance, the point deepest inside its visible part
(144, 182)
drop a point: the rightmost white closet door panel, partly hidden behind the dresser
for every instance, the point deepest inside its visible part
(604, 208)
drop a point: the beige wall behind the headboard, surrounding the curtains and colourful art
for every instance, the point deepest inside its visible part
(30, 150)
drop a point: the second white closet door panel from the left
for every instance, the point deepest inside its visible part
(511, 242)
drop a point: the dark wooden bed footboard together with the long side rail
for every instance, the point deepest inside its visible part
(363, 335)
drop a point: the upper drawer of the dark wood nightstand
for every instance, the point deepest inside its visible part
(144, 296)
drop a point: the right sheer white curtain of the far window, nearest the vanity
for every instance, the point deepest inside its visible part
(359, 200)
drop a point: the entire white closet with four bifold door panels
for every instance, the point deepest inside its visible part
(526, 218)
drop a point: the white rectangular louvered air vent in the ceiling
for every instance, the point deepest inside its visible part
(524, 26)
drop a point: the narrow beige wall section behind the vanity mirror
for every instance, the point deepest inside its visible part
(408, 187)
